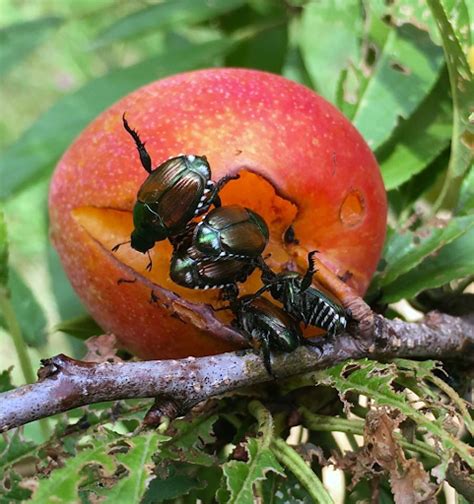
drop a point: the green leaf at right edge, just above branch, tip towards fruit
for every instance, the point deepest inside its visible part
(455, 260)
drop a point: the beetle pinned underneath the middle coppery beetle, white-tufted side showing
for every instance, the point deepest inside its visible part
(194, 270)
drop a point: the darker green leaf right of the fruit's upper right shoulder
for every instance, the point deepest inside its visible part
(418, 140)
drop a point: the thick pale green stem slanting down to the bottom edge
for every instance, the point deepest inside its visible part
(302, 471)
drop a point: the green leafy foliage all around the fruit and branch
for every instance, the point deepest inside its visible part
(398, 70)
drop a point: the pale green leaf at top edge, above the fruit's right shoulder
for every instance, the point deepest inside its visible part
(329, 41)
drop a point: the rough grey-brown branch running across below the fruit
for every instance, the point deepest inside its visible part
(65, 383)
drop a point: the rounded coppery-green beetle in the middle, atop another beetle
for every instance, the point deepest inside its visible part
(231, 231)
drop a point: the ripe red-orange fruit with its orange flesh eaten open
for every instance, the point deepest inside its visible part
(241, 120)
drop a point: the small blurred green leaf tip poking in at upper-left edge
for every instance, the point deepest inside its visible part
(18, 40)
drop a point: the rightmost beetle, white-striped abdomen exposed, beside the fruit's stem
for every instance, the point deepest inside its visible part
(303, 301)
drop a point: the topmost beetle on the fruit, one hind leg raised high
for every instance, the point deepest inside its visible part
(174, 193)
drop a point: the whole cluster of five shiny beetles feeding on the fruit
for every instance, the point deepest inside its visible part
(223, 249)
